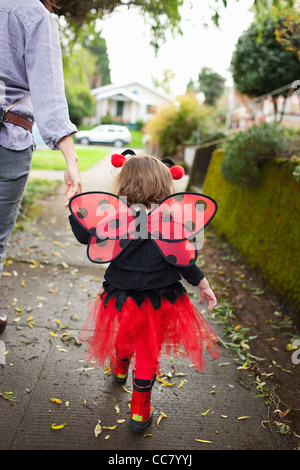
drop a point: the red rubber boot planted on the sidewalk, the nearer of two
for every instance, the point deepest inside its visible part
(141, 413)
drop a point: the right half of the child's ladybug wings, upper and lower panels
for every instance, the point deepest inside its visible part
(175, 222)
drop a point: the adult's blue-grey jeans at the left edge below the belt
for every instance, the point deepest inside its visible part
(14, 171)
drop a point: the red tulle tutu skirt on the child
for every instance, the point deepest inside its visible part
(173, 329)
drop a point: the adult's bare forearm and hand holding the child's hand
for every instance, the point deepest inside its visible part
(72, 178)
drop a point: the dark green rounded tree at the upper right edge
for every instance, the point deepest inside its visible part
(260, 63)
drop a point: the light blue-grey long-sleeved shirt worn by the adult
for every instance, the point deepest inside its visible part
(31, 67)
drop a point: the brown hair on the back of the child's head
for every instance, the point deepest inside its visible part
(144, 180)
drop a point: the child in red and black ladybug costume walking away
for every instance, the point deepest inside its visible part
(142, 309)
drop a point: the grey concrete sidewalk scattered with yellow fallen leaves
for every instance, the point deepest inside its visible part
(47, 285)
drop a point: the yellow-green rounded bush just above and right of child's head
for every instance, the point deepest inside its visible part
(176, 124)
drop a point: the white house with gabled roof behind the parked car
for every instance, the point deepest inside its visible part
(129, 102)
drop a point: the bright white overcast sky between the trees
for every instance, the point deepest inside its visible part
(132, 58)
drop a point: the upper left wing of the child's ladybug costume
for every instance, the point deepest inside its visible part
(102, 214)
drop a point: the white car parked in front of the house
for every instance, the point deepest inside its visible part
(105, 134)
